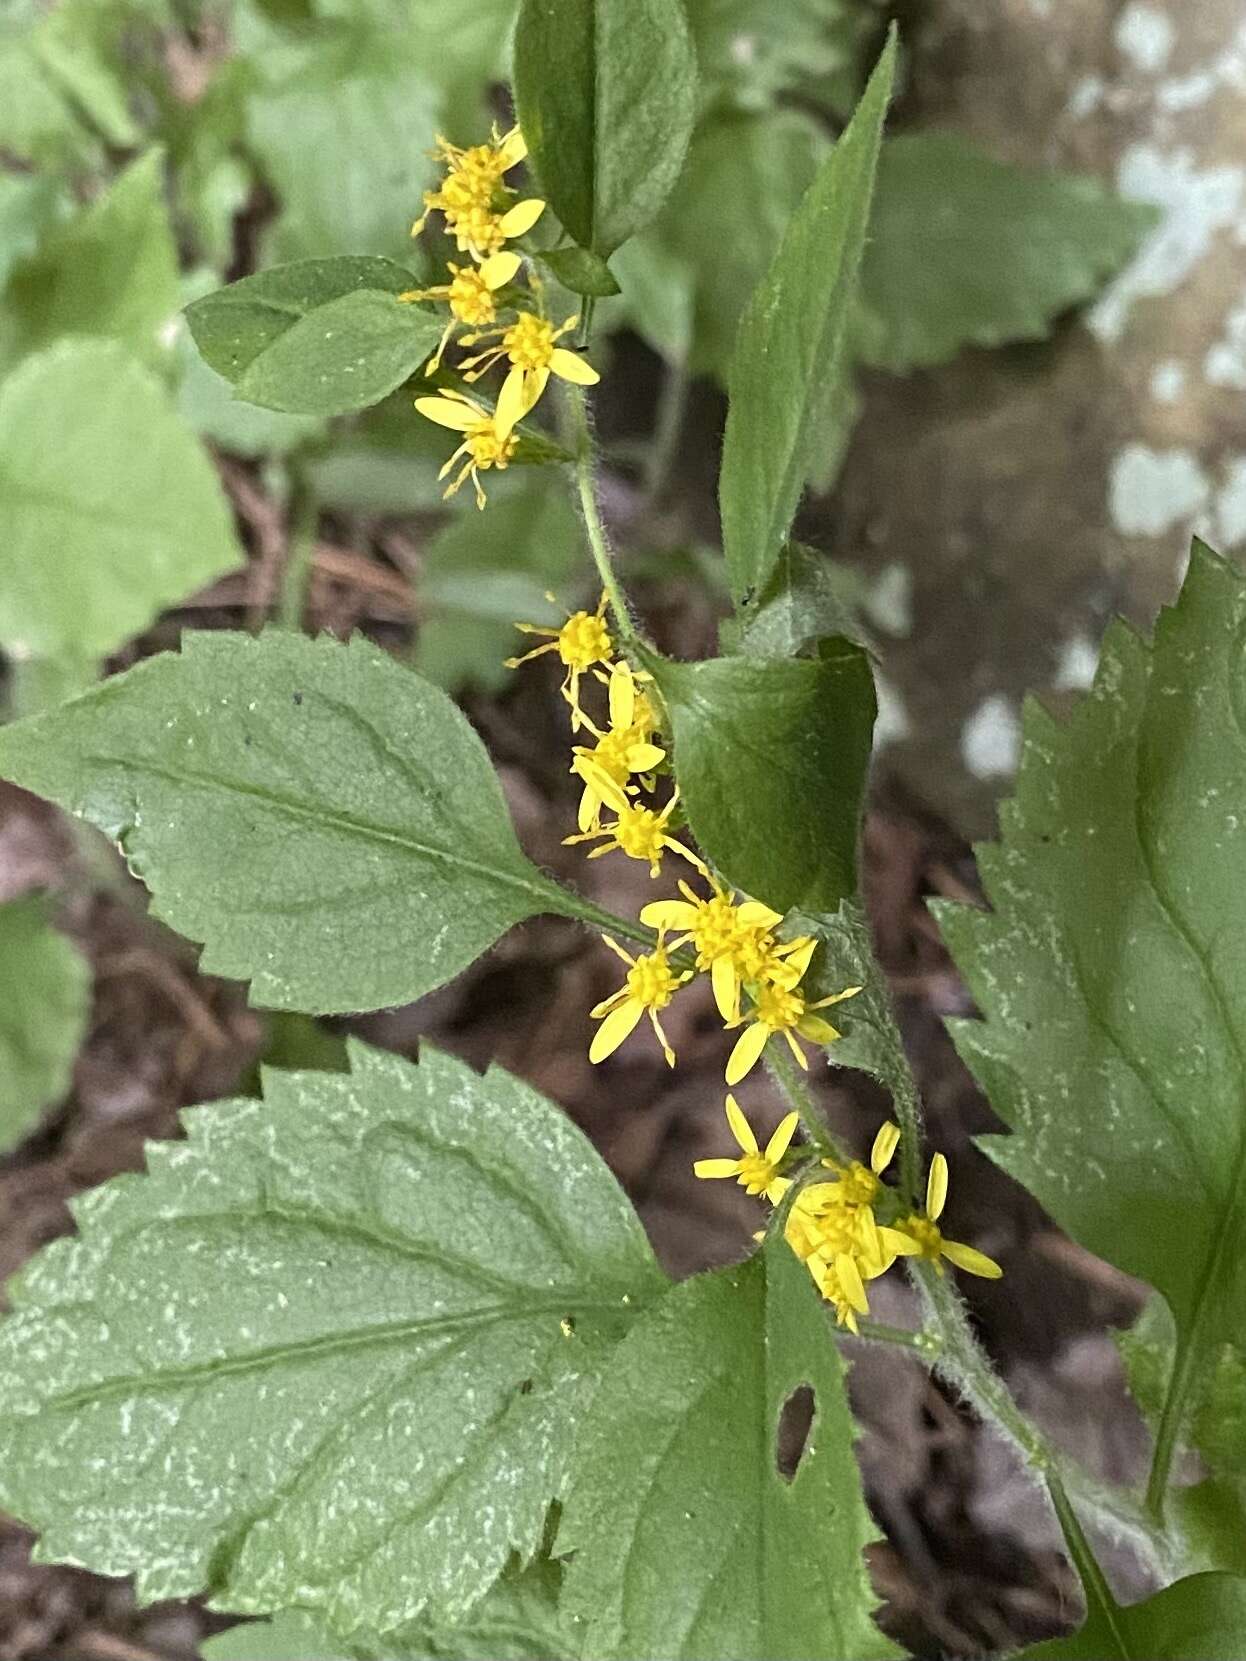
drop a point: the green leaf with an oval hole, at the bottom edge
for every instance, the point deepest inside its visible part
(687, 1541)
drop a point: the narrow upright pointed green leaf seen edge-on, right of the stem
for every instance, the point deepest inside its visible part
(792, 348)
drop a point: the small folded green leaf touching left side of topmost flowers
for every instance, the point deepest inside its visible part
(316, 338)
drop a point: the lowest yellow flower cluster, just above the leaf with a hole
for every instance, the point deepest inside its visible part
(848, 1230)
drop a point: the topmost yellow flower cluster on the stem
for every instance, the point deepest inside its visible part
(483, 215)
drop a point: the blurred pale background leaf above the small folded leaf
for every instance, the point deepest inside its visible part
(343, 129)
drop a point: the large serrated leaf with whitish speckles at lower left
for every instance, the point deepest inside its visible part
(333, 1348)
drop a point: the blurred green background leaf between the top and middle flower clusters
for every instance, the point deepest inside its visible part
(488, 572)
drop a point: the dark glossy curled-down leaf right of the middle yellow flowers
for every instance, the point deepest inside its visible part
(772, 763)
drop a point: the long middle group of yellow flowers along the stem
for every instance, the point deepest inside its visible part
(757, 977)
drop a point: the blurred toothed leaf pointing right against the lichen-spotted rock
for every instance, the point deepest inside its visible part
(1003, 252)
